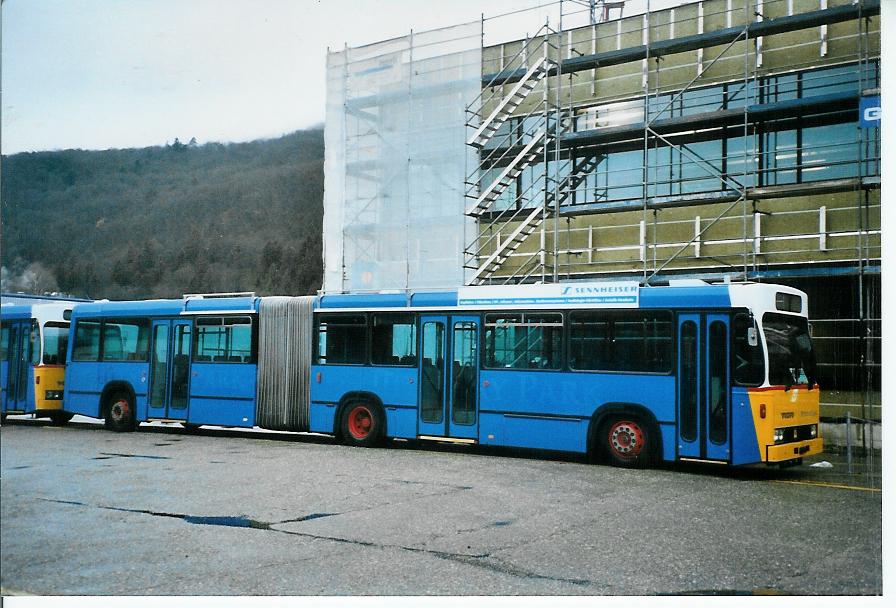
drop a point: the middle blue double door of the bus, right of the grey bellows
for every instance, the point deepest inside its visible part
(448, 377)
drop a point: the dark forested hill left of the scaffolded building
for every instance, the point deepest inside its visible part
(164, 221)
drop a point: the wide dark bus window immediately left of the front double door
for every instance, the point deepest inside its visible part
(626, 341)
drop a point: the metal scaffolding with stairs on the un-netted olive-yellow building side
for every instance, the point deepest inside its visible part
(550, 204)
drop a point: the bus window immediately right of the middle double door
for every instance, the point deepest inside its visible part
(523, 340)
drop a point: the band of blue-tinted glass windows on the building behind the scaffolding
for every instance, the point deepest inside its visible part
(782, 145)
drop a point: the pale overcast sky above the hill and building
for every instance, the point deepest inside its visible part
(99, 74)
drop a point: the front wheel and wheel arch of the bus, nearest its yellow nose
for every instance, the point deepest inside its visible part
(626, 435)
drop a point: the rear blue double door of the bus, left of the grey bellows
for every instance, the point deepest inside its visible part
(169, 373)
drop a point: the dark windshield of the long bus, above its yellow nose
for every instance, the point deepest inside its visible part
(791, 359)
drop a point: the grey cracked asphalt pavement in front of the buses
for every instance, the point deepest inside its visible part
(167, 512)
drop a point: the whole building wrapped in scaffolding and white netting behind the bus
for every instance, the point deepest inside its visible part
(720, 140)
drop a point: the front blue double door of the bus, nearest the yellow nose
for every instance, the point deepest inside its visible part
(704, 391)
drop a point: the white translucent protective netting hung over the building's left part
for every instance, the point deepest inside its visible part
(396, 160)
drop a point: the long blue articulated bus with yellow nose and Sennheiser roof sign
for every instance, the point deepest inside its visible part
(721, 373)
